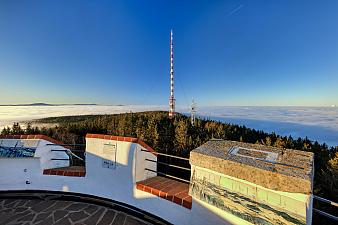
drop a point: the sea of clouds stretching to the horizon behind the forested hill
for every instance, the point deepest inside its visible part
(317, 123)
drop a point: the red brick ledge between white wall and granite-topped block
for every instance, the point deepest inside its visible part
(171, 190)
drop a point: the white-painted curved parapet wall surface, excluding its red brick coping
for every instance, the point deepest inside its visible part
(118, 184)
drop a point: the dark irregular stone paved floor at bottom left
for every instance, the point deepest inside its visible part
(47, 212)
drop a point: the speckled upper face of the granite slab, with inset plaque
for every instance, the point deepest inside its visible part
(288, 162)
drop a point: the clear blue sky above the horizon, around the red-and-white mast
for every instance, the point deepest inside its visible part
(117, 52)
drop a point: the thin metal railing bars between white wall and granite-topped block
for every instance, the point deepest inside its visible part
(168, 164)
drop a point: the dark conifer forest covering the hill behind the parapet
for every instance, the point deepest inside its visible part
(178, 137)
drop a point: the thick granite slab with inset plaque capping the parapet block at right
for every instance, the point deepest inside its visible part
(274, 168)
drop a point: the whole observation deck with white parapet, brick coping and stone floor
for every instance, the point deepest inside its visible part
(230, 183)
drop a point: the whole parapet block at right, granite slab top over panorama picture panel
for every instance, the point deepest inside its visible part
(259, 184)
